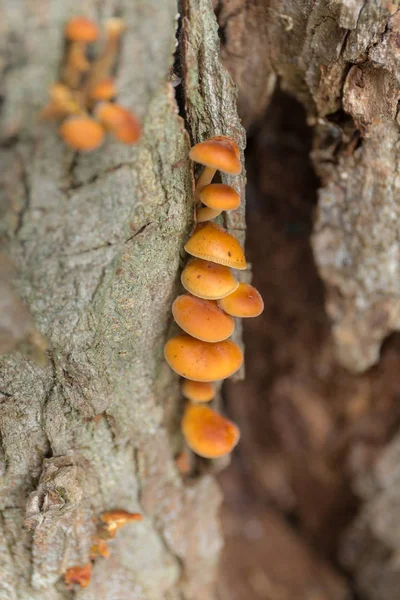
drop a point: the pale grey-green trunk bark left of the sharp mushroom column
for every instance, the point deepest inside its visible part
(97, 242)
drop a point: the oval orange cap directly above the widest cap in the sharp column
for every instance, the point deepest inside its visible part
(202, 319)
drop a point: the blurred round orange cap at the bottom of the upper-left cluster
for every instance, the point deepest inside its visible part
(82, 133)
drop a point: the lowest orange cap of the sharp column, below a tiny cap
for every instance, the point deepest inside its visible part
(207, 433)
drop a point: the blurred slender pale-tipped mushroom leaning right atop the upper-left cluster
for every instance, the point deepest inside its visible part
(103, 66)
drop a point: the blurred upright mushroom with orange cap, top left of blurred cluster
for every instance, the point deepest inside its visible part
(79, 31)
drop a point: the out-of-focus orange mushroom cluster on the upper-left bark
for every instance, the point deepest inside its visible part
(84, 98)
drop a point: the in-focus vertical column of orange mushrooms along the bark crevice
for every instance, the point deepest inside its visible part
(204, 354)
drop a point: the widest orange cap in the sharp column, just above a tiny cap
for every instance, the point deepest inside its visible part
(202, 361)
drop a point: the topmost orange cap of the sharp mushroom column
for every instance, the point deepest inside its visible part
(218, 152)
